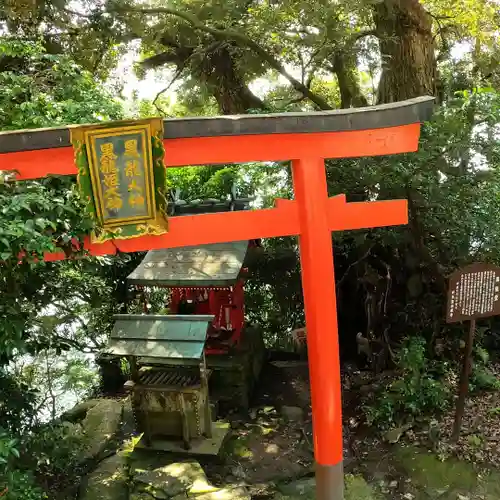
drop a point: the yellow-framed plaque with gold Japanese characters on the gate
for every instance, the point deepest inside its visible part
(121, 174)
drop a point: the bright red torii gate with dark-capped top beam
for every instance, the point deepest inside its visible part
(306, 139)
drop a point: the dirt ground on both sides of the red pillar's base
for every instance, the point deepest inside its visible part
(273, 443)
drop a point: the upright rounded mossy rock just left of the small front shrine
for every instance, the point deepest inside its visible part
(100, 425)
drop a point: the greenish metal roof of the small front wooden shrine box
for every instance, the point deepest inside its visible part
(176, 338)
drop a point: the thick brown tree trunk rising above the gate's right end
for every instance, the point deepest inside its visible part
(404, 29)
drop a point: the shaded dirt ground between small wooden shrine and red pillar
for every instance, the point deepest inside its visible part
(274, 441)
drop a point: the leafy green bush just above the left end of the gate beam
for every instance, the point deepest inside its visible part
(40, 90)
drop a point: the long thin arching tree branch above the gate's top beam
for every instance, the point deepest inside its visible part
(241, 39)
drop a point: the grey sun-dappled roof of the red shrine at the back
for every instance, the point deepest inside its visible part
(207, 265)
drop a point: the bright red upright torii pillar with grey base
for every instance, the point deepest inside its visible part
(318, 284)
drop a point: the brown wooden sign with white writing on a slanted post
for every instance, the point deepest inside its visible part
(474, 292)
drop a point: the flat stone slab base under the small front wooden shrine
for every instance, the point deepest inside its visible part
(199, 447)
